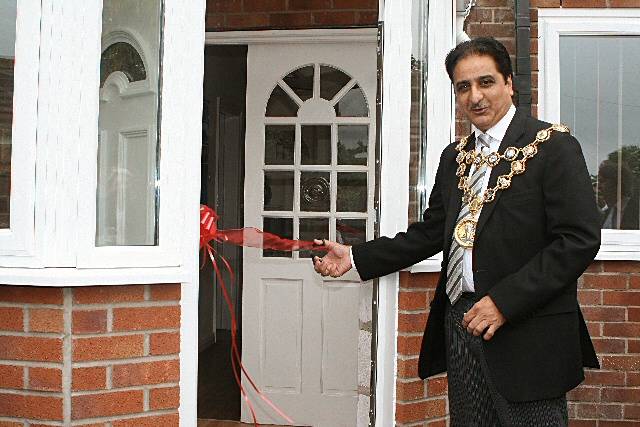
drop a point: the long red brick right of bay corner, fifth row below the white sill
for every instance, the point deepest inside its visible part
(106, 404)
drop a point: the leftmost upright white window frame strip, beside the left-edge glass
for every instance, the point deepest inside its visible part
(17, 243)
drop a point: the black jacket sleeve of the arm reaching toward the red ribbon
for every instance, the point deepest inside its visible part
(422, 239)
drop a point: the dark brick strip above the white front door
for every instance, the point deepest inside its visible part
(280, 14)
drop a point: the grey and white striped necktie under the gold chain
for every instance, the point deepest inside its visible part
(456, 253)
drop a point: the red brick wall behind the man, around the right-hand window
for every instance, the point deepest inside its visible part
(609, 292)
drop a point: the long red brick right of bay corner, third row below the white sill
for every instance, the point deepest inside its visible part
(104, 348)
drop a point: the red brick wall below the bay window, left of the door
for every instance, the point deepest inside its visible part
(99, 356)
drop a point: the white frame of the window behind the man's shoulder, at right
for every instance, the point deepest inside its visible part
(553, 23)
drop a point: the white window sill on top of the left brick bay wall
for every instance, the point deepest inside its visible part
(92, 276)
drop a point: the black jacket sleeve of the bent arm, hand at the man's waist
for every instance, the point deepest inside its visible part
(573, 228)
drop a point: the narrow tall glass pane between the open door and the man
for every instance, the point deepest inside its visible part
(418, 133)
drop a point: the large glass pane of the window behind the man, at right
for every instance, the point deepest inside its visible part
(599, 87)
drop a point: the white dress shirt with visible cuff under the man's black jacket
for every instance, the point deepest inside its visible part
(494, 135)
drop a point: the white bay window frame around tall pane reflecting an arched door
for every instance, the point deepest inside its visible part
(54, 181)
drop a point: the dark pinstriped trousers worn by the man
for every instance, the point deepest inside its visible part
(473, 399)
